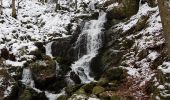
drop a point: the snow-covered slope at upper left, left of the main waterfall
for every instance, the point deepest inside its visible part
(35, 22)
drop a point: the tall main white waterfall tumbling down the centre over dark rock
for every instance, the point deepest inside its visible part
(93, 34)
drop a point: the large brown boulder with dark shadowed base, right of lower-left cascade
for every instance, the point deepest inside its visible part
(44, 75)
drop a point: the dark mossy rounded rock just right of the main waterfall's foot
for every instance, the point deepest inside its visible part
(113, 74)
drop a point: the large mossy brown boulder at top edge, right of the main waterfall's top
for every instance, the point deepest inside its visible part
(125, 9)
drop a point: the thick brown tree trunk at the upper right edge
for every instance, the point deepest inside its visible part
(164, 7)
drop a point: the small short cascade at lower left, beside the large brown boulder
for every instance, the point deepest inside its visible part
(27, 78)
